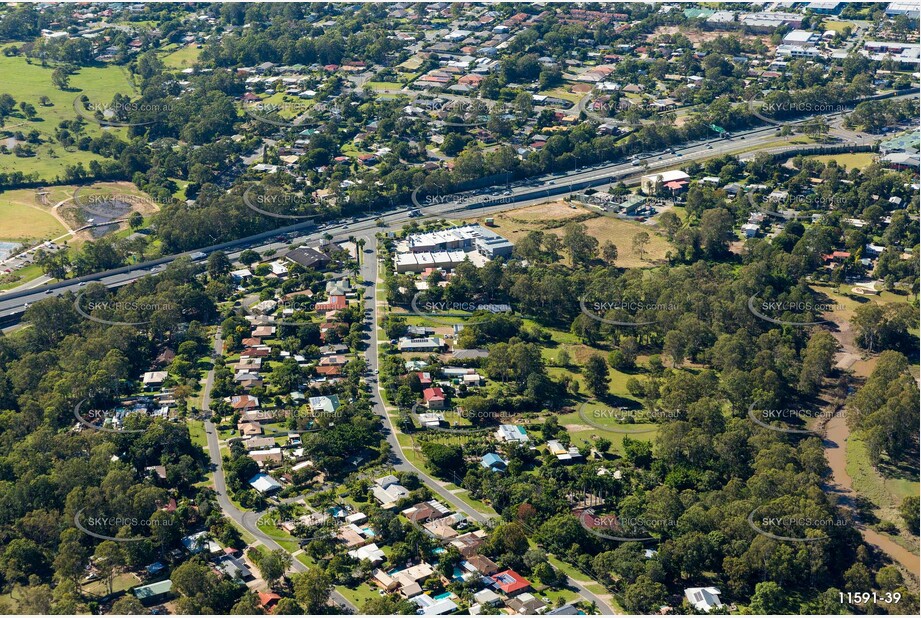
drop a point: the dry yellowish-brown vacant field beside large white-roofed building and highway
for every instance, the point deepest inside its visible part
(551, 218)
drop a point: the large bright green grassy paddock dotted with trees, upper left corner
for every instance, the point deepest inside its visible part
(27, 82)
